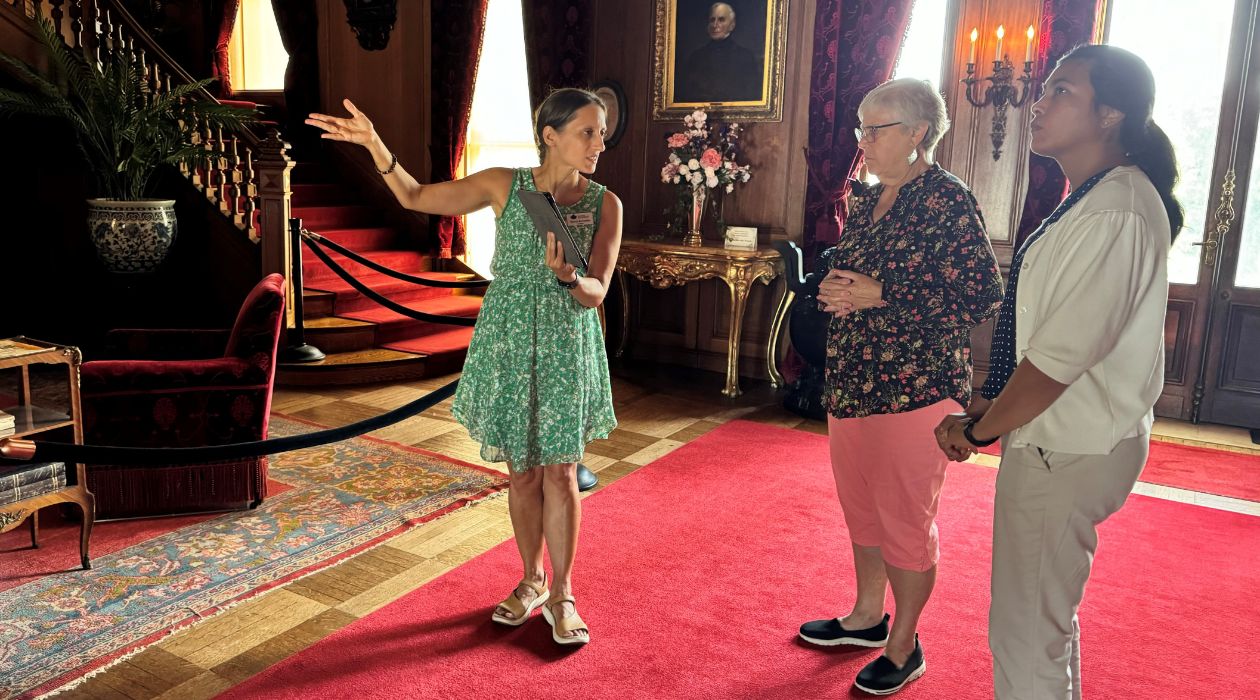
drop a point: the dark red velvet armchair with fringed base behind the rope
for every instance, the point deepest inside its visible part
(186, 388)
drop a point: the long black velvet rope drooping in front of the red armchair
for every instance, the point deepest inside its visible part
(166, 456)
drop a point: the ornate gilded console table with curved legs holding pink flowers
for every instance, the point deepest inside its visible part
(665, 265)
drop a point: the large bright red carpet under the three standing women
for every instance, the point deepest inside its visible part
(696, 571)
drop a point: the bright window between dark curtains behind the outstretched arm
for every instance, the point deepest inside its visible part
(501, 128)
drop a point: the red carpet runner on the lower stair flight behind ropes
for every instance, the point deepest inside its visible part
(336, 212)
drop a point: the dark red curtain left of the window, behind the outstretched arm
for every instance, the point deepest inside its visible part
(459, 27)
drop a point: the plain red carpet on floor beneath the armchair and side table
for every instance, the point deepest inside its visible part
(60, 538)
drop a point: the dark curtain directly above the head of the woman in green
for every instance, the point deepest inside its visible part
(559, 36)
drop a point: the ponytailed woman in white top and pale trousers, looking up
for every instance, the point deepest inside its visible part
(1077, 366)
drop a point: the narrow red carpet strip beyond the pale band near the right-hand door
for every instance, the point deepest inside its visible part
(1198, 469)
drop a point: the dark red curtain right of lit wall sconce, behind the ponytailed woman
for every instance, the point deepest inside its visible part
(1064, 26)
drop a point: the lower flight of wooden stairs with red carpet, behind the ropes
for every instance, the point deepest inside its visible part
(364, 341)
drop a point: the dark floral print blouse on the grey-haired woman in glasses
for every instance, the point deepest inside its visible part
(941, 280)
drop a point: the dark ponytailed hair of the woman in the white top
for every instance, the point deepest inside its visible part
(1125, 82)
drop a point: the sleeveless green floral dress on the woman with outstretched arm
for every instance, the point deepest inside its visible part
(536, 383)
